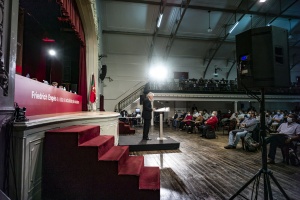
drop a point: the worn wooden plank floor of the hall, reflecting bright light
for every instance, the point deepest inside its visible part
(203, 169)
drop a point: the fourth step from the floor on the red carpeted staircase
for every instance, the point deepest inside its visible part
(104, 143)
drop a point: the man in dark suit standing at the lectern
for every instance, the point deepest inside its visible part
(147, 114)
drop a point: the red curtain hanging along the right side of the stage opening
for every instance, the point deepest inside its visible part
(70, 11)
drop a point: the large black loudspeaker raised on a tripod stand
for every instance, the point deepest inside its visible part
(263, 58)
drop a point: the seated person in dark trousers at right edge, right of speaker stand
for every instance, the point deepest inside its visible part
(287, 132)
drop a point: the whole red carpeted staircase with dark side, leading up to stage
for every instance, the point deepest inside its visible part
(79, 163)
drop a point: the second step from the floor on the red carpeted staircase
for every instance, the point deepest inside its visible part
(133, 166)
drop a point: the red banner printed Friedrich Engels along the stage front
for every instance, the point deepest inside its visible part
(40, 98)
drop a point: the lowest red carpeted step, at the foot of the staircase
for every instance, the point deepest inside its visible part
(150, 178)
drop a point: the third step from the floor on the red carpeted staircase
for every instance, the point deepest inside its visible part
(116, 153)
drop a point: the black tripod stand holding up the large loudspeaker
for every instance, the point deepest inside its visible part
(264, 170)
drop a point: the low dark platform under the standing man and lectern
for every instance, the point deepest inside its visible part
(136, 143)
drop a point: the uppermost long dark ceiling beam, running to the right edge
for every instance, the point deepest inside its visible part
(214, 9)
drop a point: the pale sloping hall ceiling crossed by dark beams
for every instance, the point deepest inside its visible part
(129, 26)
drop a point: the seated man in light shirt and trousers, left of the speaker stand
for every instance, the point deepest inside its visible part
(247, 125)
